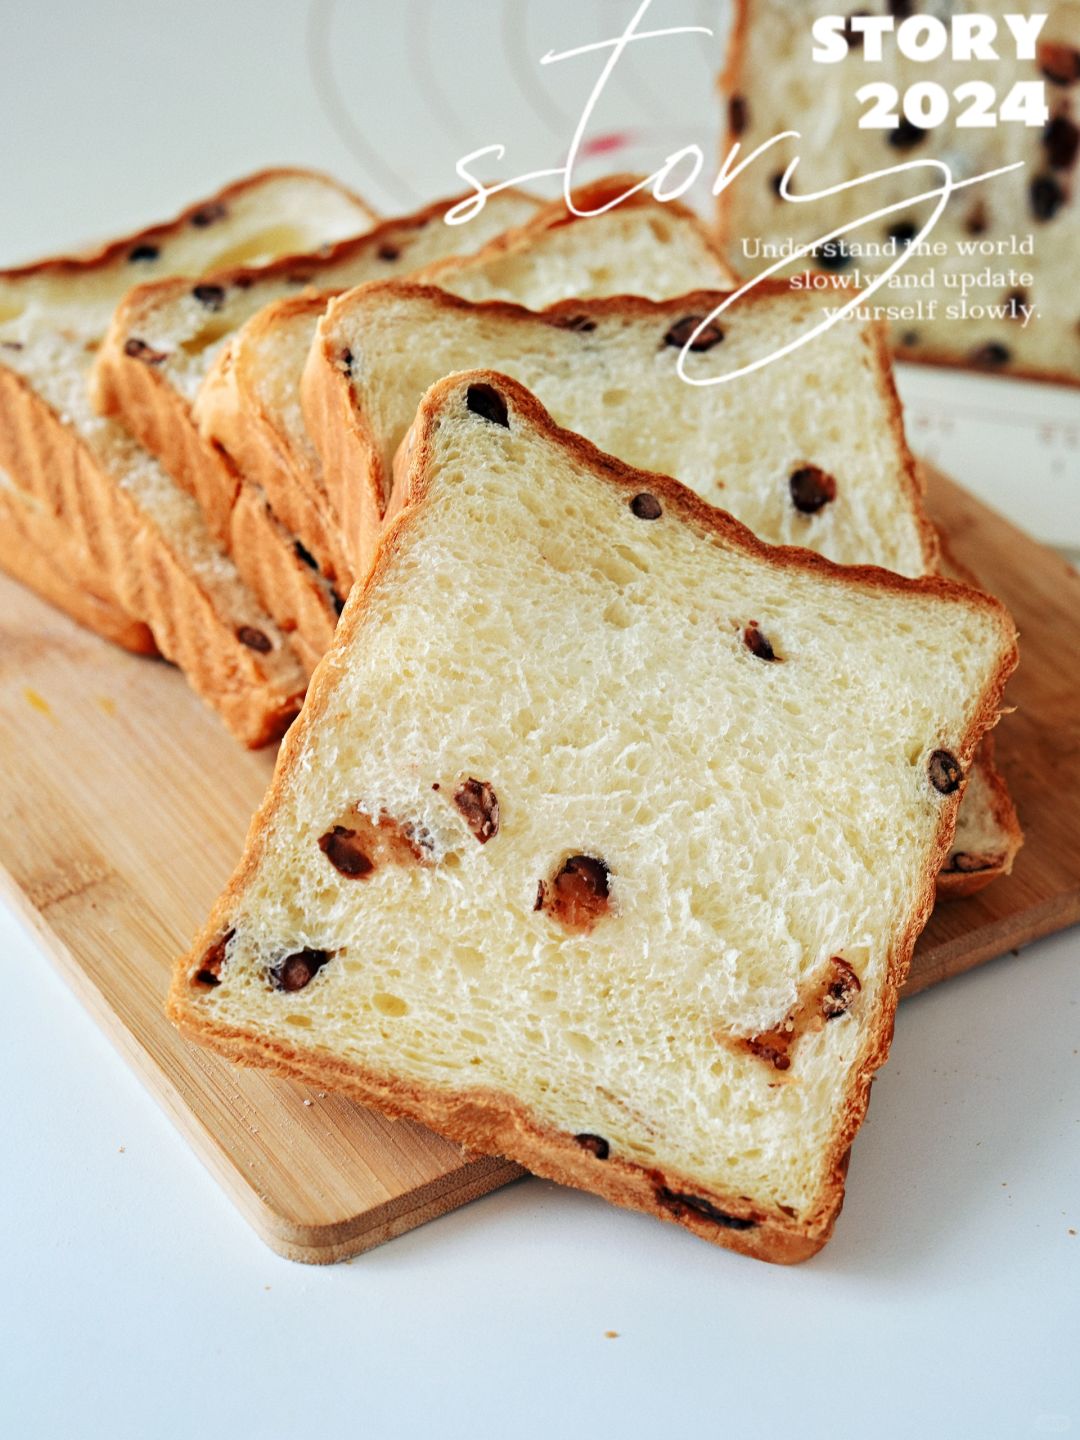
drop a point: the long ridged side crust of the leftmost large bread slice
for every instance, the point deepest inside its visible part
(140, 568)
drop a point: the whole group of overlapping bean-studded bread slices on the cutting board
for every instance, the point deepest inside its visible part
(650, 726)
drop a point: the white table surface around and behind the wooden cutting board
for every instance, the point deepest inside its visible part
(133, 1298)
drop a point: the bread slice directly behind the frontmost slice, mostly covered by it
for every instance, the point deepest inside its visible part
(607, 369)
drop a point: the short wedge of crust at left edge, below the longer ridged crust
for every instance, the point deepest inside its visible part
(37, 552)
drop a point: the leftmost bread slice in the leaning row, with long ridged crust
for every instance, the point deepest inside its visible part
(142, 544)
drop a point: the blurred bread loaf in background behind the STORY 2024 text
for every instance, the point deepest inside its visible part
(773, 87)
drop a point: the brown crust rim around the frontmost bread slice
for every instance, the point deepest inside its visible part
(498, 1122)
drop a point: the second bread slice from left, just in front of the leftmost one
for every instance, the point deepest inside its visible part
(169, 336)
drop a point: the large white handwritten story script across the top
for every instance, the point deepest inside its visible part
(689, 162)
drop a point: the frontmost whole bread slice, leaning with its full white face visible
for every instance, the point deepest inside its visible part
(607, 832)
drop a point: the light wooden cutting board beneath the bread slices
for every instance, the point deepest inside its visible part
(125, 806)
